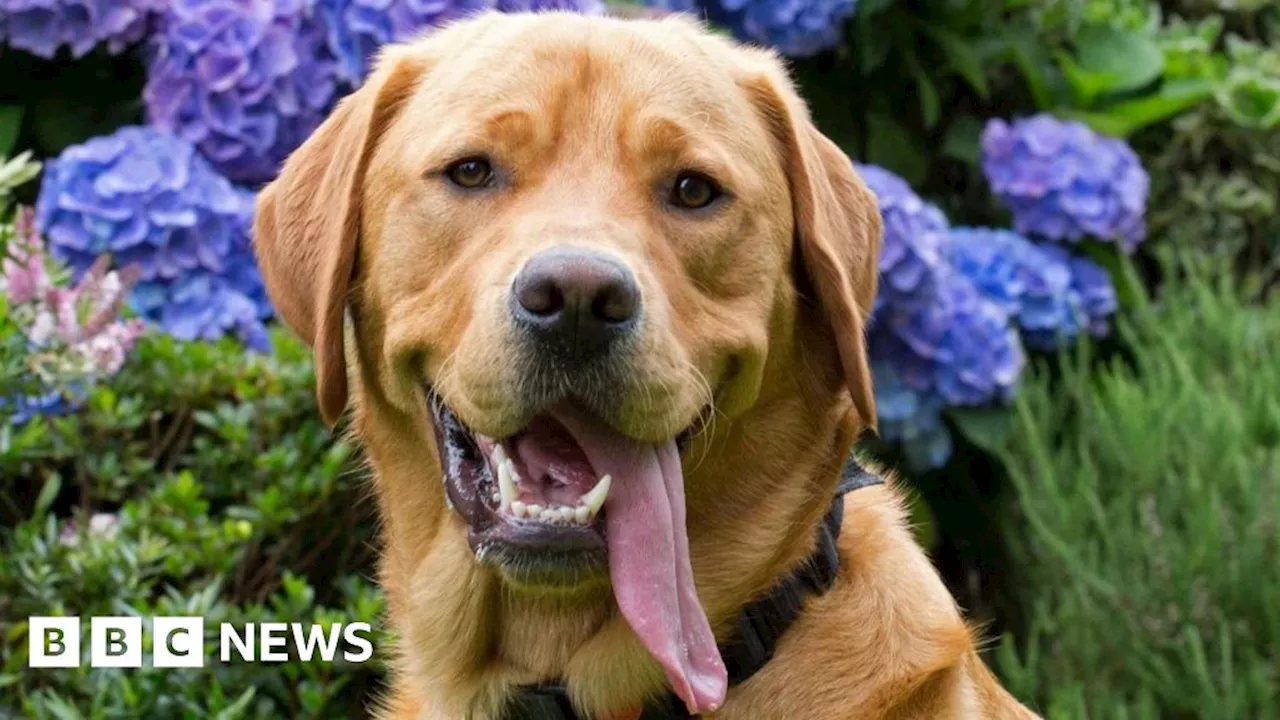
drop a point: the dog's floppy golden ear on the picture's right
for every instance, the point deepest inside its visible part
(838, 224)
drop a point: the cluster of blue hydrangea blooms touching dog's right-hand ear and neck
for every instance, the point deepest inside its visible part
(956, 311)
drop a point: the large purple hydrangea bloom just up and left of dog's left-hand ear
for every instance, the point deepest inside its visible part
(246, 81)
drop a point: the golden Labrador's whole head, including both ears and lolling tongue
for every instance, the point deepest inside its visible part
(572, 248)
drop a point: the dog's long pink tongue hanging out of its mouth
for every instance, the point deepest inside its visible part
(653, 580)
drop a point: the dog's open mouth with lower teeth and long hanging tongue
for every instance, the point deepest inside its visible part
(566, 499)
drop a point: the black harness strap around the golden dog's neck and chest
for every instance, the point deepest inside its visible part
(760, 627)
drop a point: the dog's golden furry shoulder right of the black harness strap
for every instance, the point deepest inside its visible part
(886, 641)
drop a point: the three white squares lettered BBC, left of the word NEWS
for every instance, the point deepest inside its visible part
(116, 642)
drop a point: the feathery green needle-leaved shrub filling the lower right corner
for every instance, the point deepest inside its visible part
(1148, 498)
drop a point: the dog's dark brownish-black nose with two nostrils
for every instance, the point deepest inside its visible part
(575, 303)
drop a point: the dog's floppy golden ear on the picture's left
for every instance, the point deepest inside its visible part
(307, 225)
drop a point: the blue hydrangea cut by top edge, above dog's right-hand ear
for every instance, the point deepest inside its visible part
(796, 28)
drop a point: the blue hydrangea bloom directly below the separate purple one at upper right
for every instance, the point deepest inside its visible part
(1028, 282)
